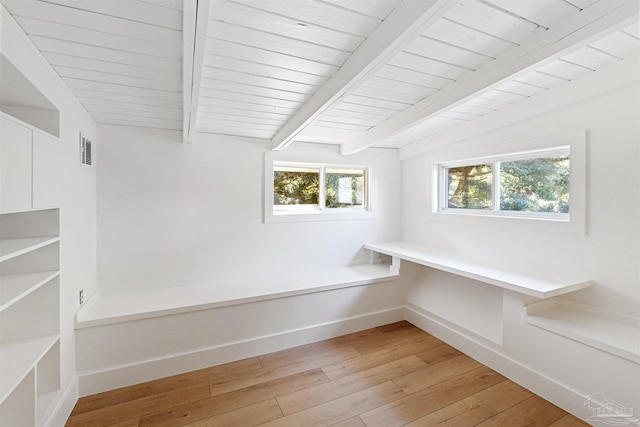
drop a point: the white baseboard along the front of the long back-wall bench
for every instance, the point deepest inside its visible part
(96, 382)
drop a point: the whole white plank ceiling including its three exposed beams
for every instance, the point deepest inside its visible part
(359, 73)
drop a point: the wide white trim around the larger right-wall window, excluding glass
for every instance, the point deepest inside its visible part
(574, 222)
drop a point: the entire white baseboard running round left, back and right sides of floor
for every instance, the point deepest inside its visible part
(482, 350)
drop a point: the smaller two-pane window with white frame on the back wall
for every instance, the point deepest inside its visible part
(311, 191)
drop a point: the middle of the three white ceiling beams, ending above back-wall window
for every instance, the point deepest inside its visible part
(405, 23)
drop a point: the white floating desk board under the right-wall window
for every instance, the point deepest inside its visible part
(527, 285)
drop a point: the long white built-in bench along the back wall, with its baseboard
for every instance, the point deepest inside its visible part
(131, 337)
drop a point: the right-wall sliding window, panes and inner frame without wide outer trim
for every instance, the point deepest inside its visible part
(532, 184)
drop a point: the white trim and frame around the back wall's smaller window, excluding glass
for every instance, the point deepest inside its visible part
(300, 214)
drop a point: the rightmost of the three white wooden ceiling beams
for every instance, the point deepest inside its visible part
(565, 36)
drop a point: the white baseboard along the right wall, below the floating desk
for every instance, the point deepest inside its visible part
(559, 394)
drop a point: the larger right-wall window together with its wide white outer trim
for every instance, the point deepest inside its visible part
(536, 184)
